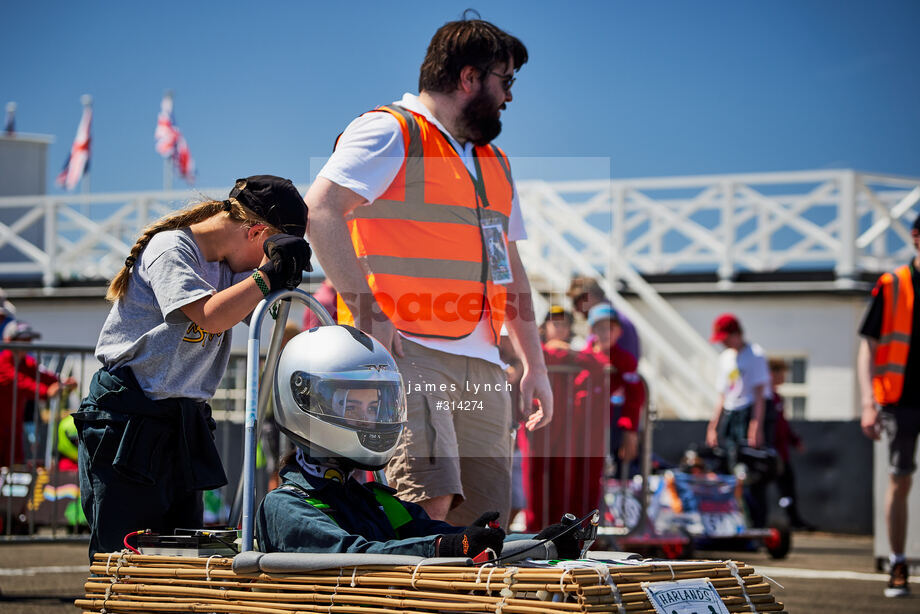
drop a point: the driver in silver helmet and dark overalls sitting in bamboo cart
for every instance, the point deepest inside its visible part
(340, 398)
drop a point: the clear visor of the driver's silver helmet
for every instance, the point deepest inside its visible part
(364, 399)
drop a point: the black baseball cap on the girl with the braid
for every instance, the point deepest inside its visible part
(275, 200)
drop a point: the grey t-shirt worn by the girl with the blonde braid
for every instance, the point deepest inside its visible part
(170, 355)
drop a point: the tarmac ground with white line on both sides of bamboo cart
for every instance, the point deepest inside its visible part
(824, 573)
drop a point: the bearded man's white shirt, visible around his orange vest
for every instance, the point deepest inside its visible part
(366, 160)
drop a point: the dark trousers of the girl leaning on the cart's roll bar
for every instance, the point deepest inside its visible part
(116, 505)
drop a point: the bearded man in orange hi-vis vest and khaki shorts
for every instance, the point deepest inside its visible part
(414, 220)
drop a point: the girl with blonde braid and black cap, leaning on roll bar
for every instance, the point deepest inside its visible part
(145, 442)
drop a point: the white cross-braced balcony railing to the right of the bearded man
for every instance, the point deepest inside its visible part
(838, 220)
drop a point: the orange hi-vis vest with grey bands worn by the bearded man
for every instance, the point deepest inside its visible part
(425, 243)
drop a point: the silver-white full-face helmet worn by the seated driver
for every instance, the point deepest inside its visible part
(338, 393)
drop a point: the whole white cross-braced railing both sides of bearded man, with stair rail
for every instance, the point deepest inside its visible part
(619, 230)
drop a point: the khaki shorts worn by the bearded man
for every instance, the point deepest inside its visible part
(458, 439)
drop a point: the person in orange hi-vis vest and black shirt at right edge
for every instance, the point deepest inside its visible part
(888, 365)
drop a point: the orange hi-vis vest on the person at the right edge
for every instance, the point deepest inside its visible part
(894, 342)
